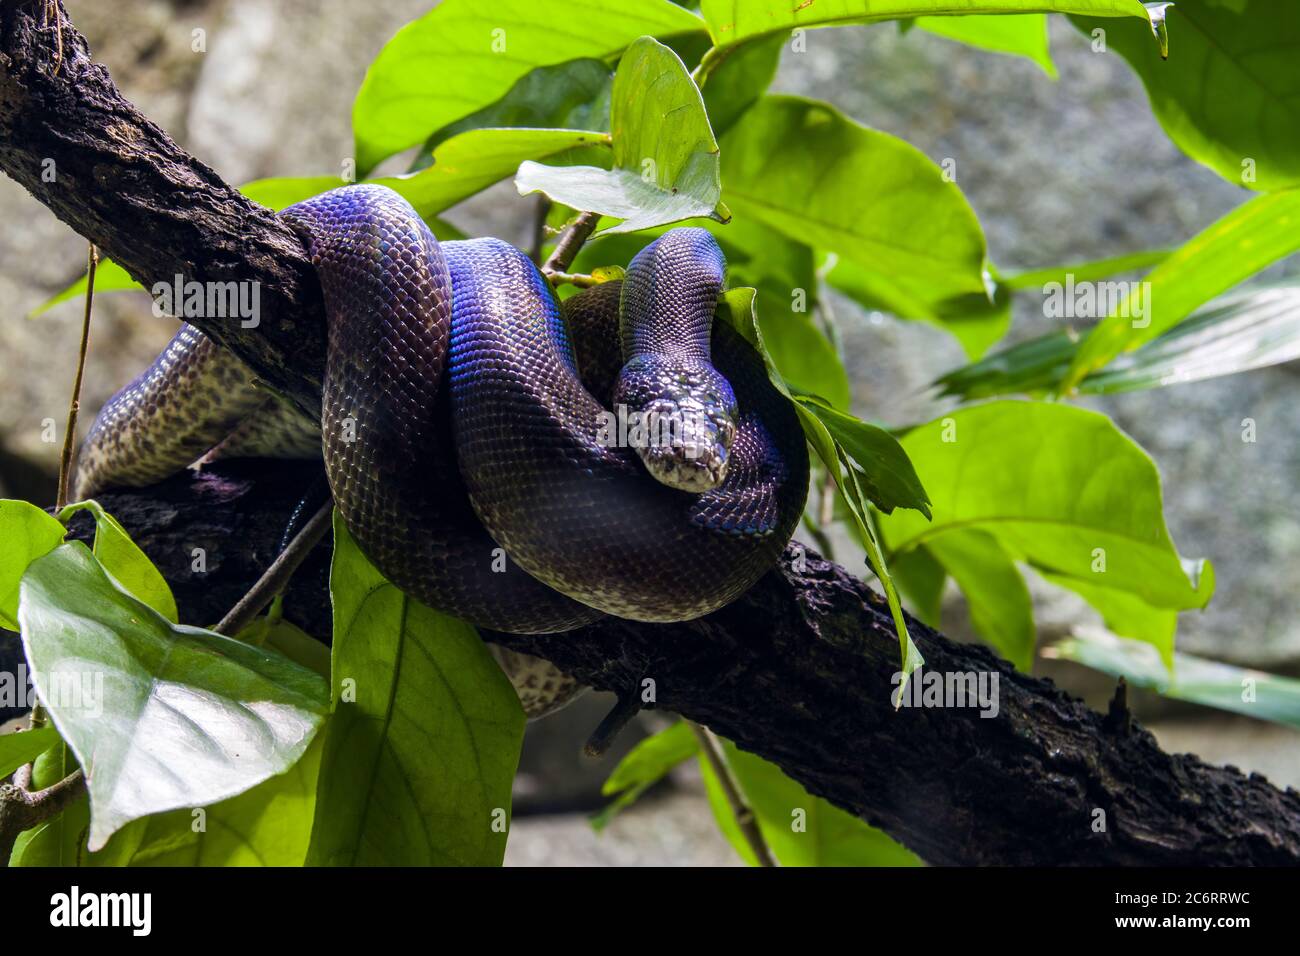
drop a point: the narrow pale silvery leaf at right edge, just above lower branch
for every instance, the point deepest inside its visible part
(1195, 680)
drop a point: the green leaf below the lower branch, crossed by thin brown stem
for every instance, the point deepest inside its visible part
(800, 829)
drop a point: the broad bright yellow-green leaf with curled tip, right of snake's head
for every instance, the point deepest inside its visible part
(1059, 487)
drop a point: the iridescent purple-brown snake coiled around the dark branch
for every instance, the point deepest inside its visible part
(525, 465)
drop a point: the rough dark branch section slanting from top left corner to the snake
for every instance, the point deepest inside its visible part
(80, 148)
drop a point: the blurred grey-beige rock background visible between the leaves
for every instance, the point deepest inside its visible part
(1059, 172)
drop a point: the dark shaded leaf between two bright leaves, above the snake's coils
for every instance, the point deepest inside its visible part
(569, 96)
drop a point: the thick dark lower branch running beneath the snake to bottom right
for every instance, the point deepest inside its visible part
(800, 672)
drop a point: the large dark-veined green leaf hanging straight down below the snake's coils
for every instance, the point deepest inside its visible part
(424, 741)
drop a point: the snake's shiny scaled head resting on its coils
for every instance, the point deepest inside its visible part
(681, 418)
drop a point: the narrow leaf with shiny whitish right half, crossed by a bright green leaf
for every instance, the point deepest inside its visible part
(1240, 332)
